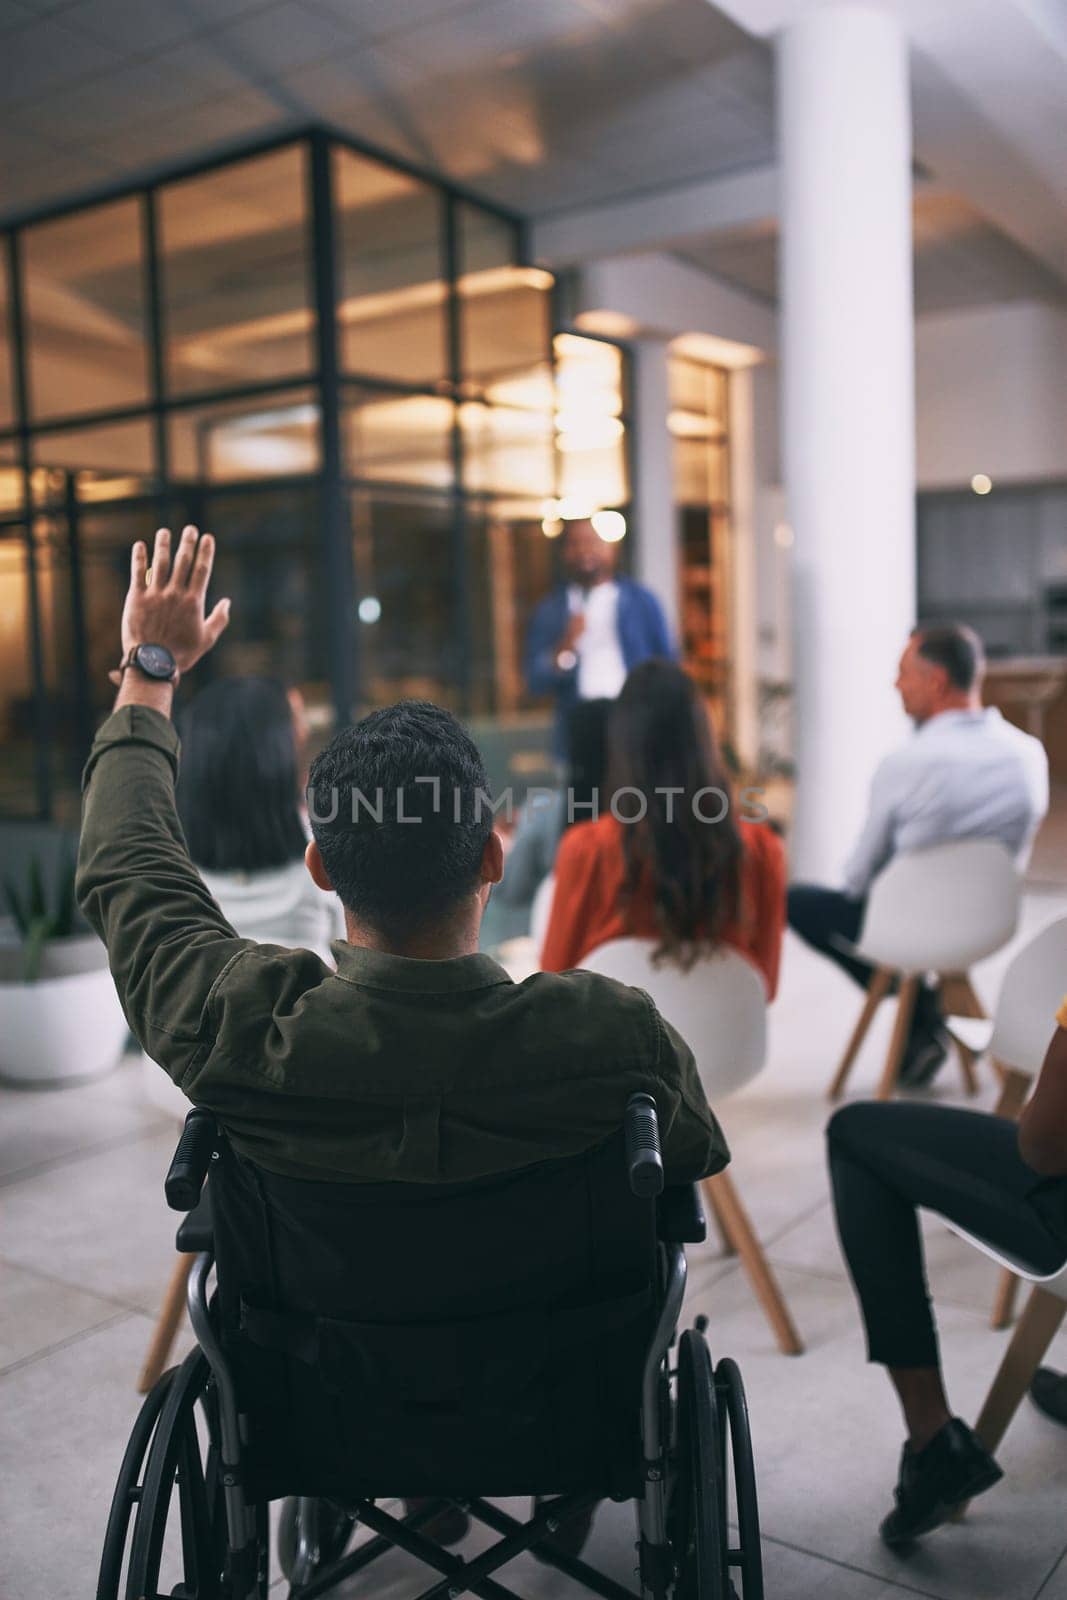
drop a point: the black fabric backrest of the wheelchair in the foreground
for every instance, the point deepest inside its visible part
(412, 1340)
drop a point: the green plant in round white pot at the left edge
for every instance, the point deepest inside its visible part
(60, 1015)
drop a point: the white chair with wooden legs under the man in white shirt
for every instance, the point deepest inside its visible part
(933, 911)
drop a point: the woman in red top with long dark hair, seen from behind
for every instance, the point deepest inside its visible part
(681, 874)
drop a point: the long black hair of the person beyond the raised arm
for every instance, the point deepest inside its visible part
(238, 788)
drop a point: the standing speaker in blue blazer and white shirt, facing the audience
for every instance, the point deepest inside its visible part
(591, 631)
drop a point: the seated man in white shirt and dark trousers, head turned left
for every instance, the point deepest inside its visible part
(965, 774)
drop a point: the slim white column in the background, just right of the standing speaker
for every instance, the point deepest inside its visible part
(657, 554)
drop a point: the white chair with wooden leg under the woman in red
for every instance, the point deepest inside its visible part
(721, 1010)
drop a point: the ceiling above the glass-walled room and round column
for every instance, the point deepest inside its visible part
(546, 106)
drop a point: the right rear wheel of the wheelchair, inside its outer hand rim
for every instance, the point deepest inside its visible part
(698, 1506)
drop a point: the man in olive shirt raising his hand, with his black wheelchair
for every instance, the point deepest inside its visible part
(442, 1266)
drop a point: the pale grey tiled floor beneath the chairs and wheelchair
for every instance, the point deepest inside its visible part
(86, 1250)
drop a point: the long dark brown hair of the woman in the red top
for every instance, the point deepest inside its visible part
(661, 738)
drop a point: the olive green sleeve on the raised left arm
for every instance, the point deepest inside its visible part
(169, 945)
